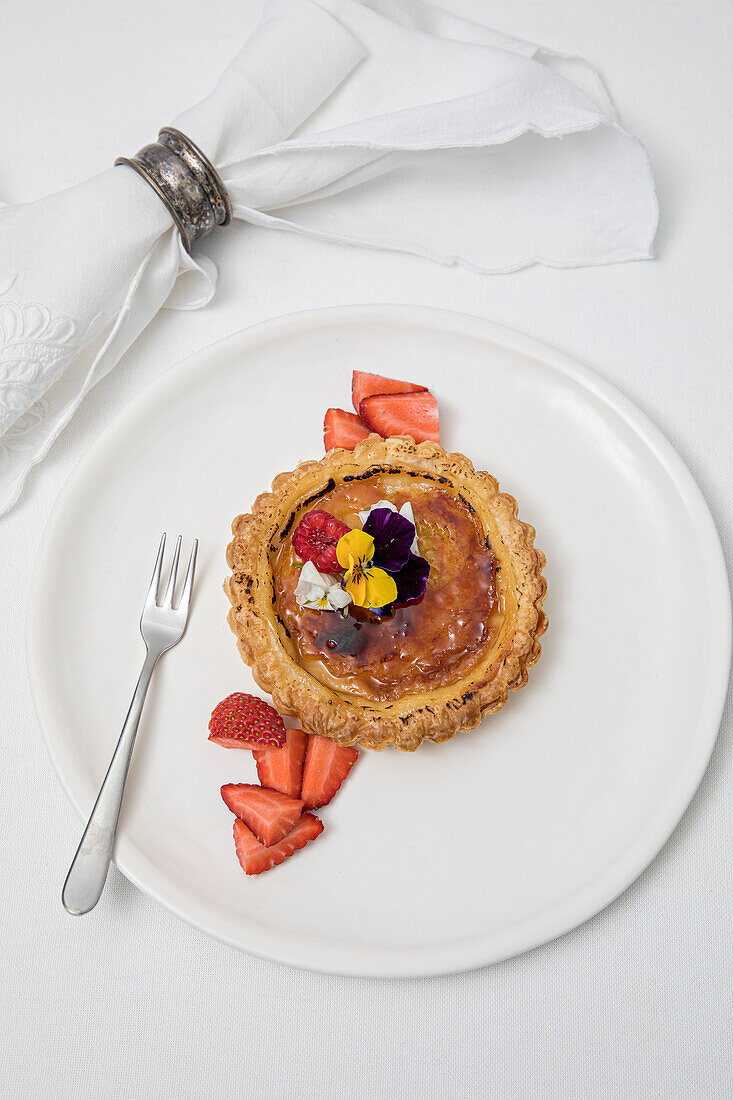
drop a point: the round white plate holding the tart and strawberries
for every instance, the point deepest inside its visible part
(461, 854)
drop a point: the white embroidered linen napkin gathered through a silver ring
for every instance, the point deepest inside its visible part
(389, 125)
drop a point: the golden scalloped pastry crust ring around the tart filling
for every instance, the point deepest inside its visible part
(431, 716)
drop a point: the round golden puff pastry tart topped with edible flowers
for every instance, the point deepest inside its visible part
(443, 653)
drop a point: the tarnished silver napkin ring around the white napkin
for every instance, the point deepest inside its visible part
(187, 181)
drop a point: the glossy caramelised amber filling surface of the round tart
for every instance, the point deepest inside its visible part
(430, 644)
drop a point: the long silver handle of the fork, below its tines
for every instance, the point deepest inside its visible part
(89, 872)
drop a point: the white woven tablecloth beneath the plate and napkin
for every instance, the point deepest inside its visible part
(130, 1003)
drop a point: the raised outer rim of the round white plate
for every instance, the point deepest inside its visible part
(456, 956)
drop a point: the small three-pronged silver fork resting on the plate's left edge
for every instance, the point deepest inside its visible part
(162, 626)
